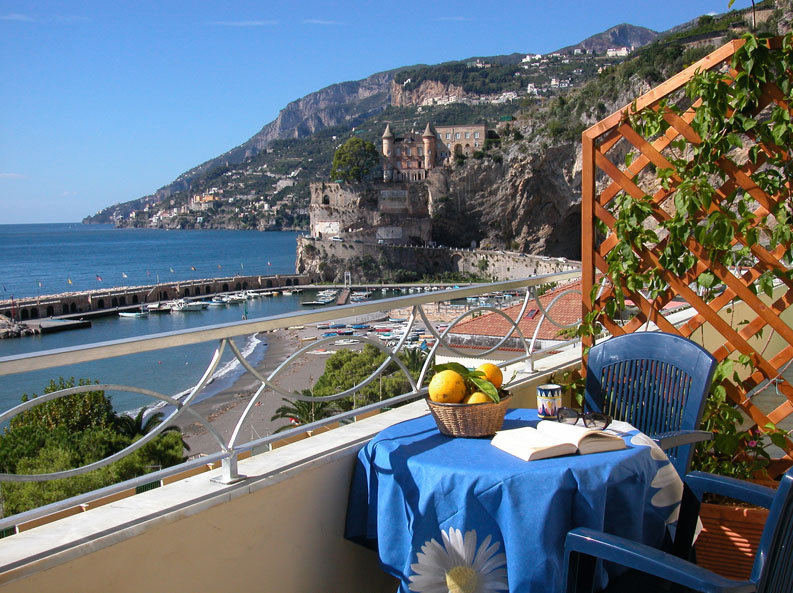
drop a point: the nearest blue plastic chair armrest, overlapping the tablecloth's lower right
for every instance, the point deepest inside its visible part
(650, 560)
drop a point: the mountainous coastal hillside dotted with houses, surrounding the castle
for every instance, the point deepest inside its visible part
(515, 187)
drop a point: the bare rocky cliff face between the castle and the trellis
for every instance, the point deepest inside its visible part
(524, 195)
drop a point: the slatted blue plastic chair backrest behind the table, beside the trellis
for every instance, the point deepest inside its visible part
(658, 382)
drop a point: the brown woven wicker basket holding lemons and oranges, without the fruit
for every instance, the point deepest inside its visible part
(469, 420)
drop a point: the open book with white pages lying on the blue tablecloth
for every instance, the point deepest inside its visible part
(552, 439)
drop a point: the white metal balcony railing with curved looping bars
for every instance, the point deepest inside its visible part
(230, 449)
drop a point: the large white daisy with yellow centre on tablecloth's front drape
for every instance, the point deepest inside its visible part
(458, 566)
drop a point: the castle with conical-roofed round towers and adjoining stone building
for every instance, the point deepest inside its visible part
(411, 156)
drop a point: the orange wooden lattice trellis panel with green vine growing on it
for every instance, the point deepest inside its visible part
(641, 159)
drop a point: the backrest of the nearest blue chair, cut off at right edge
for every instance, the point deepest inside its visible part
(773, 564)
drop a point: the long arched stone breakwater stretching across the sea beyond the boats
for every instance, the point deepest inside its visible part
(110, 299)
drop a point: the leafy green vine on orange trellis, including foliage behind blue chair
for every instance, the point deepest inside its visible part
(701, 208)
